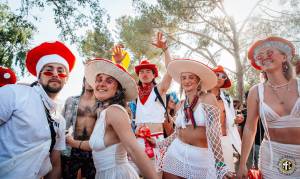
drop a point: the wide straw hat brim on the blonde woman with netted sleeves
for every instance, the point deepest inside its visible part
(178, 66)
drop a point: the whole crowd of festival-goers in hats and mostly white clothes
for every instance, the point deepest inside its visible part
(120, 128)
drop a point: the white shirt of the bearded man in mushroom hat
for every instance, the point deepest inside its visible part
(24, 127)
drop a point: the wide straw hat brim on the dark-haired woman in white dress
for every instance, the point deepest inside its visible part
(93, 68)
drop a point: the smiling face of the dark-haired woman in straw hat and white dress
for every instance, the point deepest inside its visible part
(105, 87)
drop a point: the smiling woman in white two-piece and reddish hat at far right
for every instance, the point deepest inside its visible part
(276, 101)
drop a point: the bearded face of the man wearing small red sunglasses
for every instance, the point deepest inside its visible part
(53, 77)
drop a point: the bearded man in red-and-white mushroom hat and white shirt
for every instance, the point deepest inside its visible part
(31, 131)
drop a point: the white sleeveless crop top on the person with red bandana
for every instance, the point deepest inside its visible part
(150, 112)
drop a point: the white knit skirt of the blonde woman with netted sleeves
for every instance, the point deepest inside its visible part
(188, 161)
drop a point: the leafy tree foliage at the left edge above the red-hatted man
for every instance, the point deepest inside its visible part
(15, 34)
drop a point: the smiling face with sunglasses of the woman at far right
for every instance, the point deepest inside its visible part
(270, 59)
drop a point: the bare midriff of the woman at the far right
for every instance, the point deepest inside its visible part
(289, 135)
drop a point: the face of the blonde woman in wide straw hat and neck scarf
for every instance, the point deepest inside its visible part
(189, 81)
